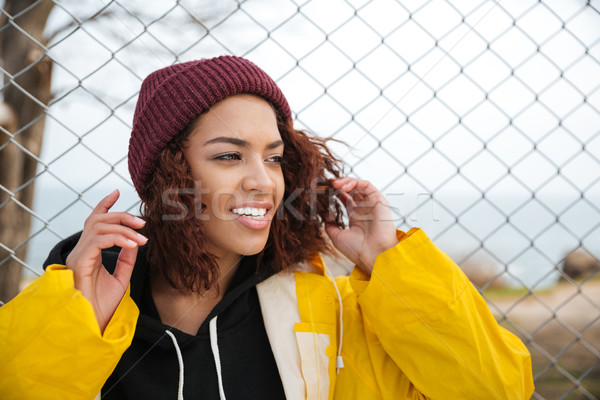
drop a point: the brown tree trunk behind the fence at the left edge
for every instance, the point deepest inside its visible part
(30, 77)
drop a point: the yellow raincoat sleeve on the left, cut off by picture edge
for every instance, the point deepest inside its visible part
(50, 343)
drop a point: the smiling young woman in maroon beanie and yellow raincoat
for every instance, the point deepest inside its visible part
(219, 291)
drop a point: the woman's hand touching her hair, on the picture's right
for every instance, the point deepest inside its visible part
(371, 230)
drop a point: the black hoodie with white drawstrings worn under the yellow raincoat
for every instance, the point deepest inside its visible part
(149, 369)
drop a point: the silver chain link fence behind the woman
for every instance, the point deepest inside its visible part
(479, 120)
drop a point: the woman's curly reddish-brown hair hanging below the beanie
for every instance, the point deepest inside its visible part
(177, 246)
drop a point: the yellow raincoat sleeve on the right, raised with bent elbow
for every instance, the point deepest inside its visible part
(437, 328)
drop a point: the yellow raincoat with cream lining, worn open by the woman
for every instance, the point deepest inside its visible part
(416, 329)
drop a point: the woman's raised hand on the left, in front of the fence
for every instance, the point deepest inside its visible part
(103, 230)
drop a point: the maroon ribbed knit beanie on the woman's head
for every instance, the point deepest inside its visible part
(172, 97)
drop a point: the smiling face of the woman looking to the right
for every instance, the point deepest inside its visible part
(235, 152)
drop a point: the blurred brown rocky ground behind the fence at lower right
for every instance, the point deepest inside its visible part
(561, 328)
